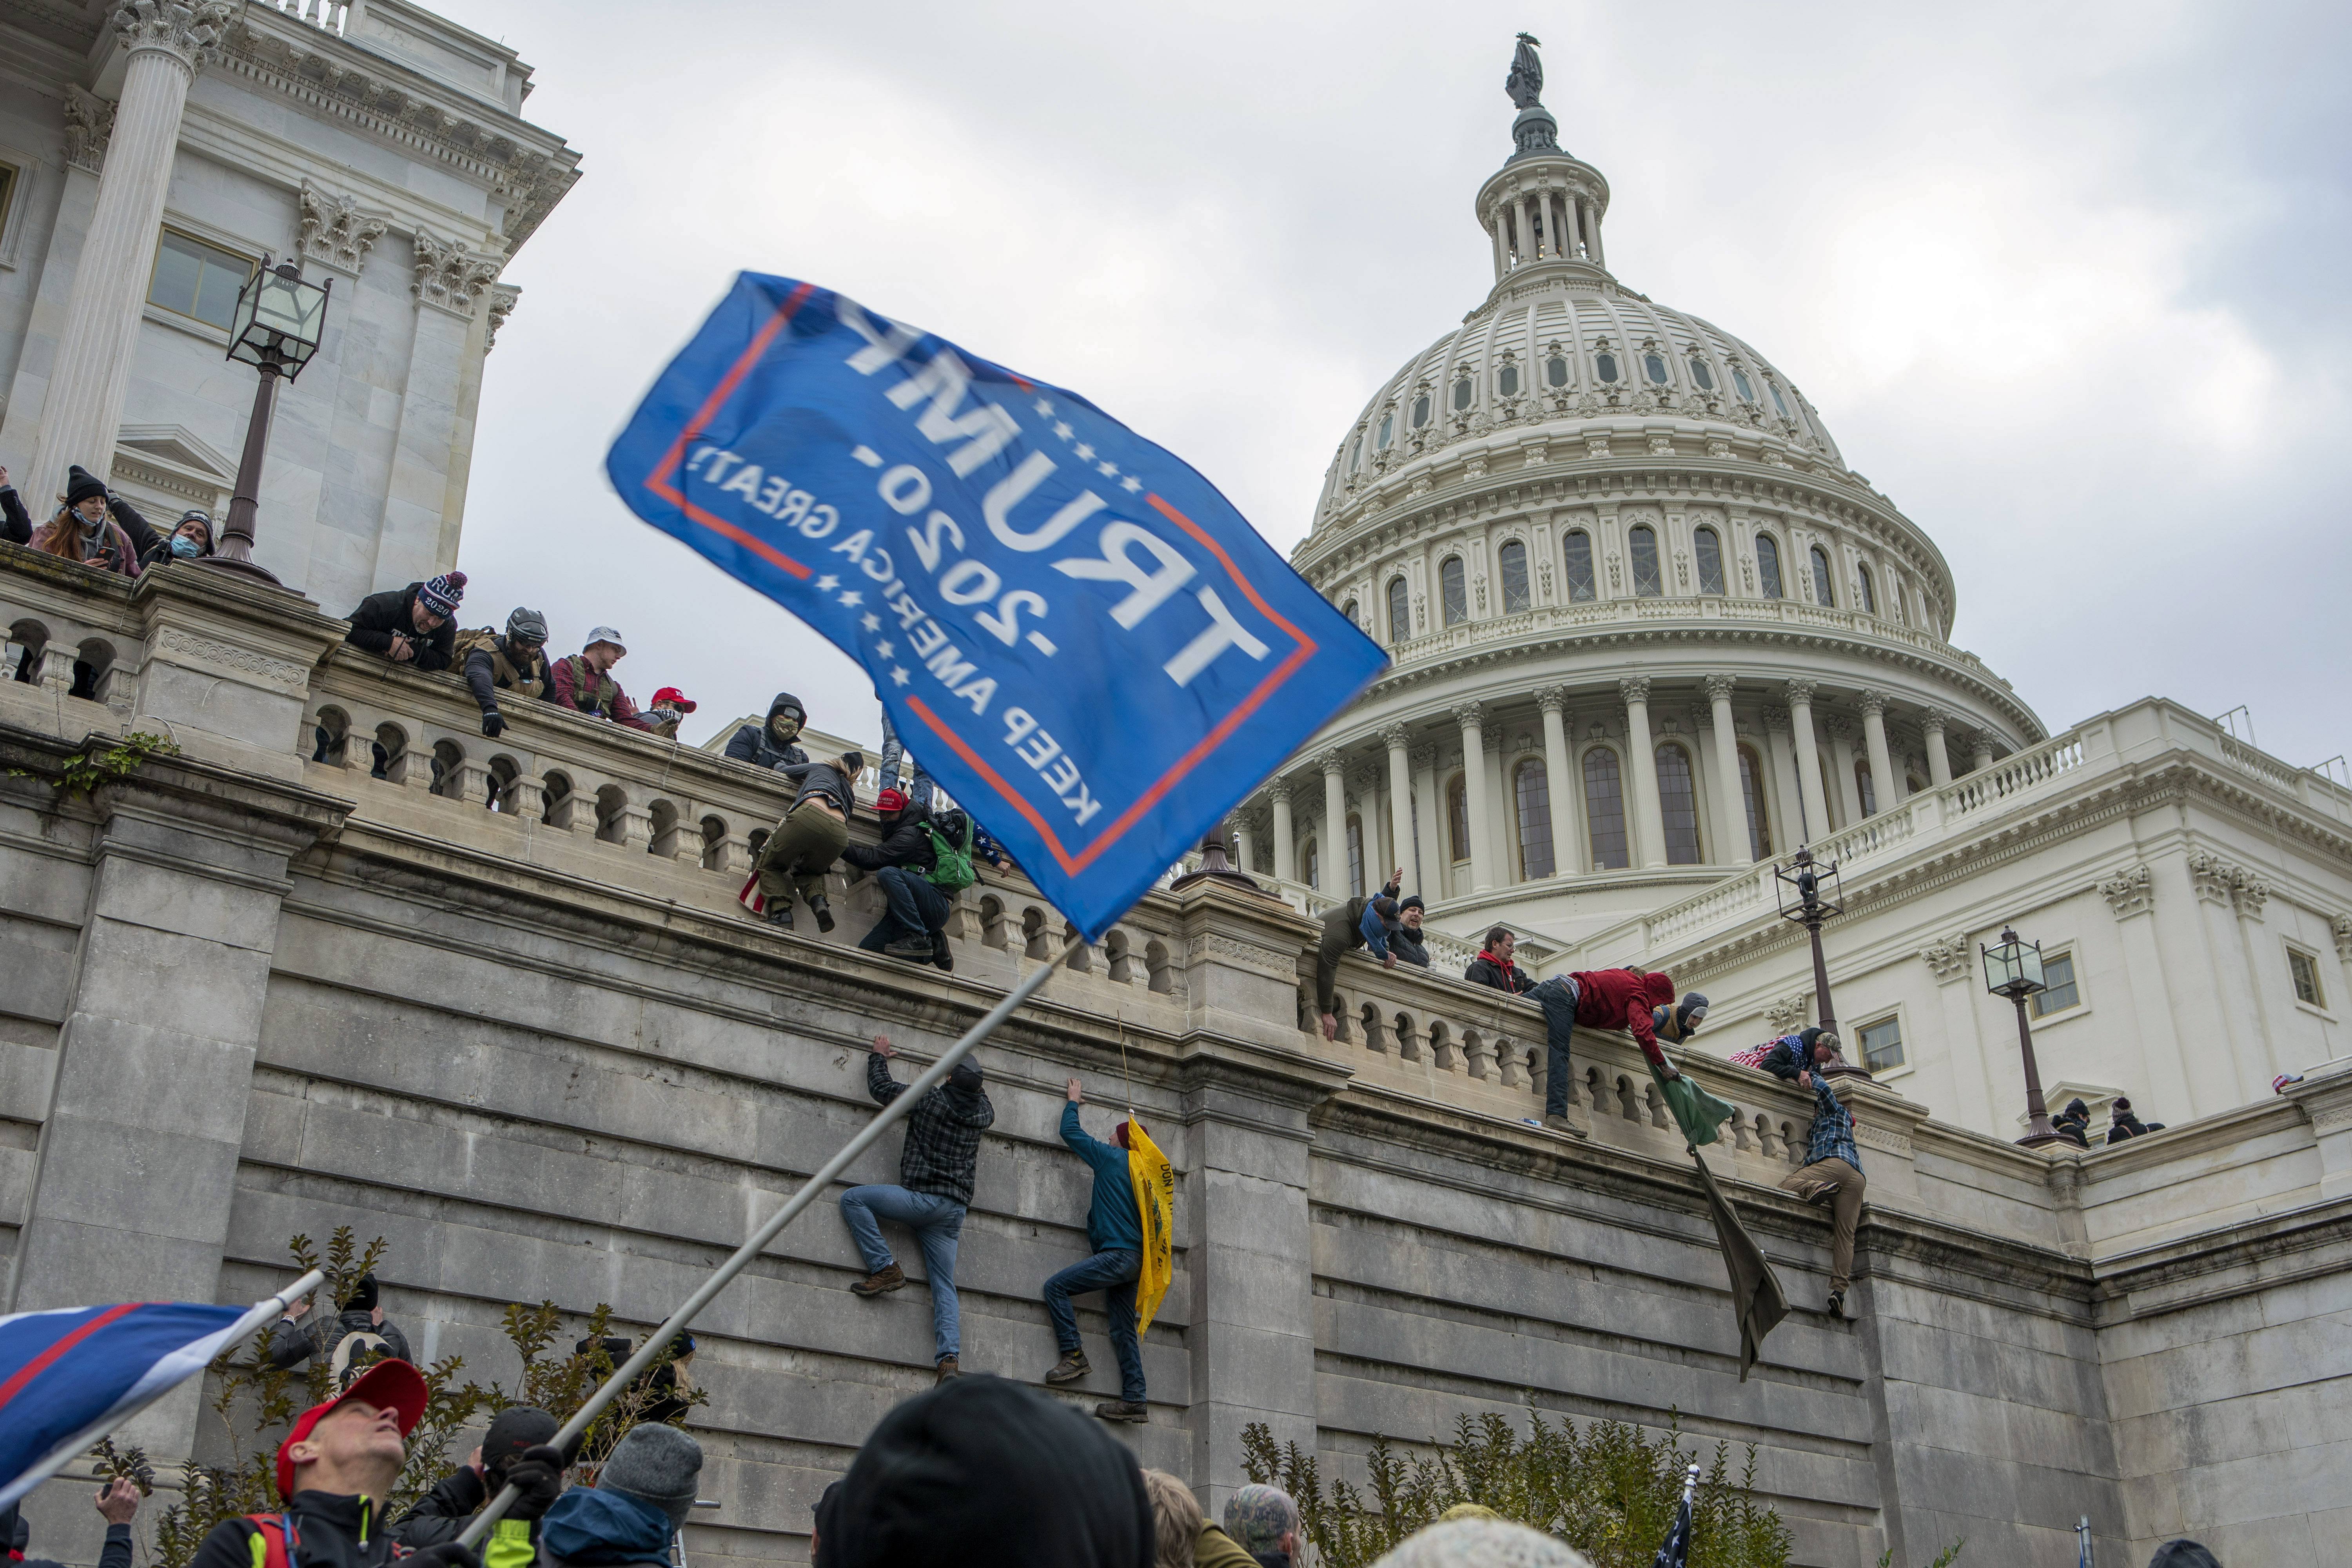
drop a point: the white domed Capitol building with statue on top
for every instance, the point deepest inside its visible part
(1650, 634)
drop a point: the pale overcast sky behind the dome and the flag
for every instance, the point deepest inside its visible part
(2069, 283)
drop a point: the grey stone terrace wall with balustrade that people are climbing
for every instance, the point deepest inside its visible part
(530, 1040)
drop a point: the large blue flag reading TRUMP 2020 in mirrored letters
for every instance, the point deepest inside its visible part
(1085, 641)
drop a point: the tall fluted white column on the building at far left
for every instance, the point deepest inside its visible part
(83, 410)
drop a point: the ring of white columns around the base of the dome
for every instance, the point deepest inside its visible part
(1405, 819)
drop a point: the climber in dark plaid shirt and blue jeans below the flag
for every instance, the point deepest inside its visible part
(935, 1186)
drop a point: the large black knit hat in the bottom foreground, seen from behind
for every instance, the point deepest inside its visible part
(984, 1473)
